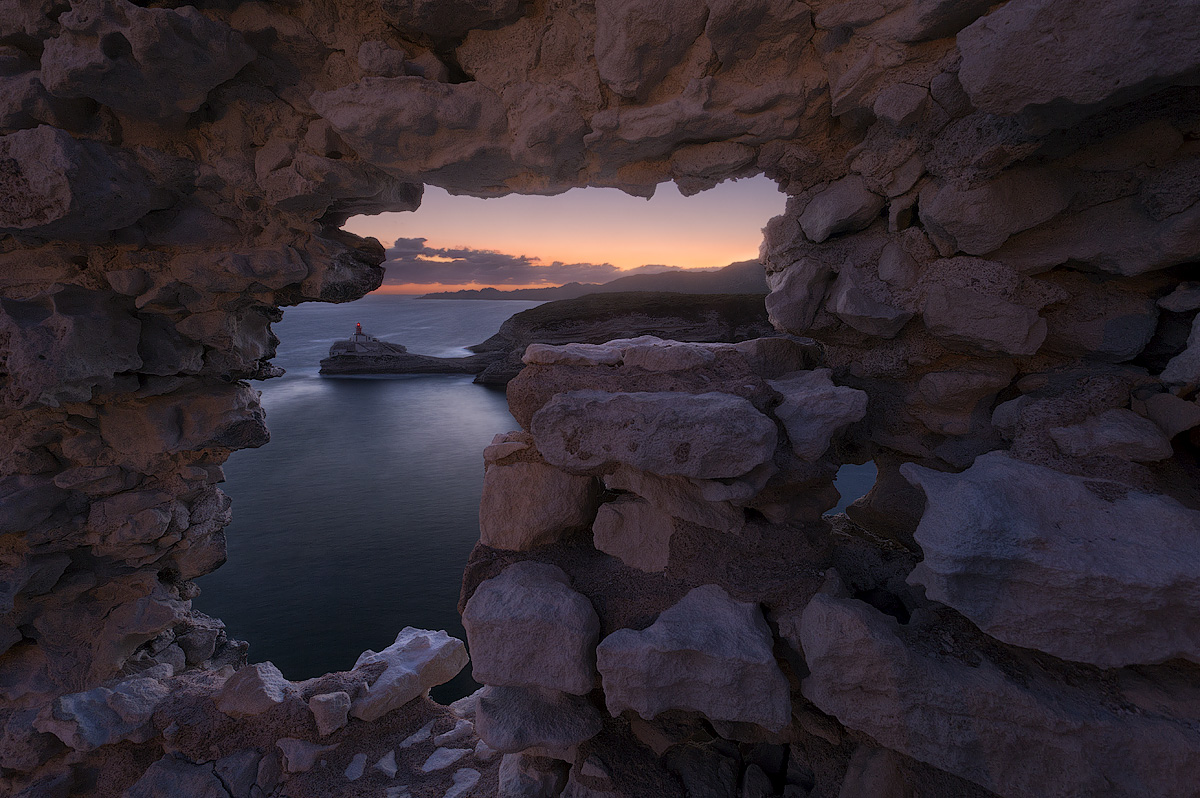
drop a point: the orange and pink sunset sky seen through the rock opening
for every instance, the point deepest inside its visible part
(584, 236)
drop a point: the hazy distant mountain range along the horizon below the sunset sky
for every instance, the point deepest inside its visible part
(743, 278)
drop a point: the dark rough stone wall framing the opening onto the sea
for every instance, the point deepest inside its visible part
(992, 225)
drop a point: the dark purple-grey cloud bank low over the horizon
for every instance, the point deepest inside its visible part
(410, 261)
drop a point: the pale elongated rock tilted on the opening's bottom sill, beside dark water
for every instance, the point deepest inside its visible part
(417, 662)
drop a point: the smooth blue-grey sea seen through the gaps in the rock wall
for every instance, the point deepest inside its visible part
(358, 518)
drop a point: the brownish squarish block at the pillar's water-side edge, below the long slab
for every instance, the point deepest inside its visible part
(530, 505)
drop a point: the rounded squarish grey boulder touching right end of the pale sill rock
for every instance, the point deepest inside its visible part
(529, 628)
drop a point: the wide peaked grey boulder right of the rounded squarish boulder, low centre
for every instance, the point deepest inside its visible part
(709, 655)
